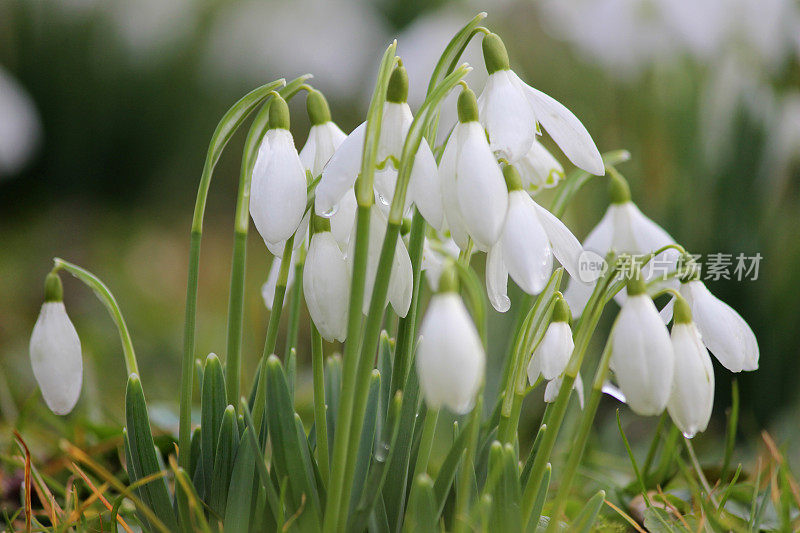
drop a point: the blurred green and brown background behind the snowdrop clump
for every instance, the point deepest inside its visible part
(107, 106)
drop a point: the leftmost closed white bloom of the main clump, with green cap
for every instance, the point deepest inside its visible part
(278, 189)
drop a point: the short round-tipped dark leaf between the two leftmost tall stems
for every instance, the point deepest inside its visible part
(212, 407)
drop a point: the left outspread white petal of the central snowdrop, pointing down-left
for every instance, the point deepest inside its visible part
(340, 174)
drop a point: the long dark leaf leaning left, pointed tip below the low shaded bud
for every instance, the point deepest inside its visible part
(289, 461)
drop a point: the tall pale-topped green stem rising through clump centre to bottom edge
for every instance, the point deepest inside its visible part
(339, 495)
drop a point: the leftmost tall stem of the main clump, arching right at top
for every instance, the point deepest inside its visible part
(227, 126)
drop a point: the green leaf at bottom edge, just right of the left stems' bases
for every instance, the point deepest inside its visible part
(242, 489)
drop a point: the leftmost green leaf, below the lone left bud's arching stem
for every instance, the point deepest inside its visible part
(143, 453)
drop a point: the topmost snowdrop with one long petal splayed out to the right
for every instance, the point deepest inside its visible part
(510, 109)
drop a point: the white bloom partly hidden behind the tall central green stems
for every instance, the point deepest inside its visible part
(401, 278)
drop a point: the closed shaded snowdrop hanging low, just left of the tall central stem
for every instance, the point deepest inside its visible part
(326, 283)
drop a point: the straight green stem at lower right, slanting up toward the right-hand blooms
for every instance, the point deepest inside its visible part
(576, 453)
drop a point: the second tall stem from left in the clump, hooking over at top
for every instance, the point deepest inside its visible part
(233, 364)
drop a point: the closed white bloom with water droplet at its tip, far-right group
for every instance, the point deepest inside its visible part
(692, 397)
